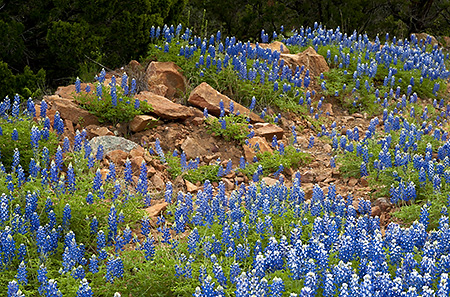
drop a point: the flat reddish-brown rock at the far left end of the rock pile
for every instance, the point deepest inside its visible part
(70, 111)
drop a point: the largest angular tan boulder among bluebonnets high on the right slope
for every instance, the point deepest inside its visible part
(308, 58)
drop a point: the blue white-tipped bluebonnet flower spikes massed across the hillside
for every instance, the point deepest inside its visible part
(259, 240)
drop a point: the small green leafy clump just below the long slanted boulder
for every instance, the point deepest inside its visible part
(236, 127)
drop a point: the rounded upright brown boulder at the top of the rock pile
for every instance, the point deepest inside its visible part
(166, 73)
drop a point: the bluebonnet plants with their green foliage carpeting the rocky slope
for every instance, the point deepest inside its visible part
(67, 231)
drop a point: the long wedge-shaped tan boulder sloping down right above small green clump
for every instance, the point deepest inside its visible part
(206, 96)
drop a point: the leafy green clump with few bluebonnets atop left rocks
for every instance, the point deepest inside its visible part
(105, 111)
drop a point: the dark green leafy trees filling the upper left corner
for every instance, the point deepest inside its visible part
(63, 36)
